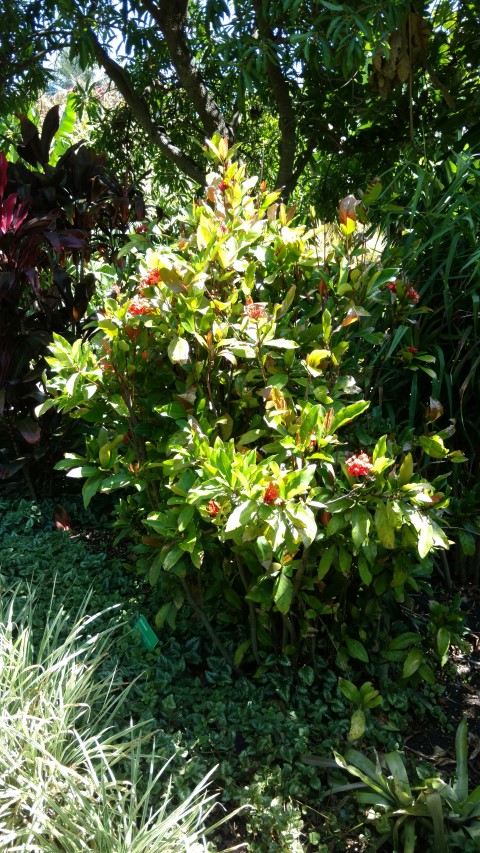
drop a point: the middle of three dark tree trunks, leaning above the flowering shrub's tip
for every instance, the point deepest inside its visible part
(170, 15)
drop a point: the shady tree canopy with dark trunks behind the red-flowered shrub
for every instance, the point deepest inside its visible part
(308, 81)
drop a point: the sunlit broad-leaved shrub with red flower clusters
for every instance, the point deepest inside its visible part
(226, 407)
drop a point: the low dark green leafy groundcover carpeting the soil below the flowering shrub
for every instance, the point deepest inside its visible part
(265, 733)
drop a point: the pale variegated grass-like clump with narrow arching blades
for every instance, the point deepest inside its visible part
(71, 779)
